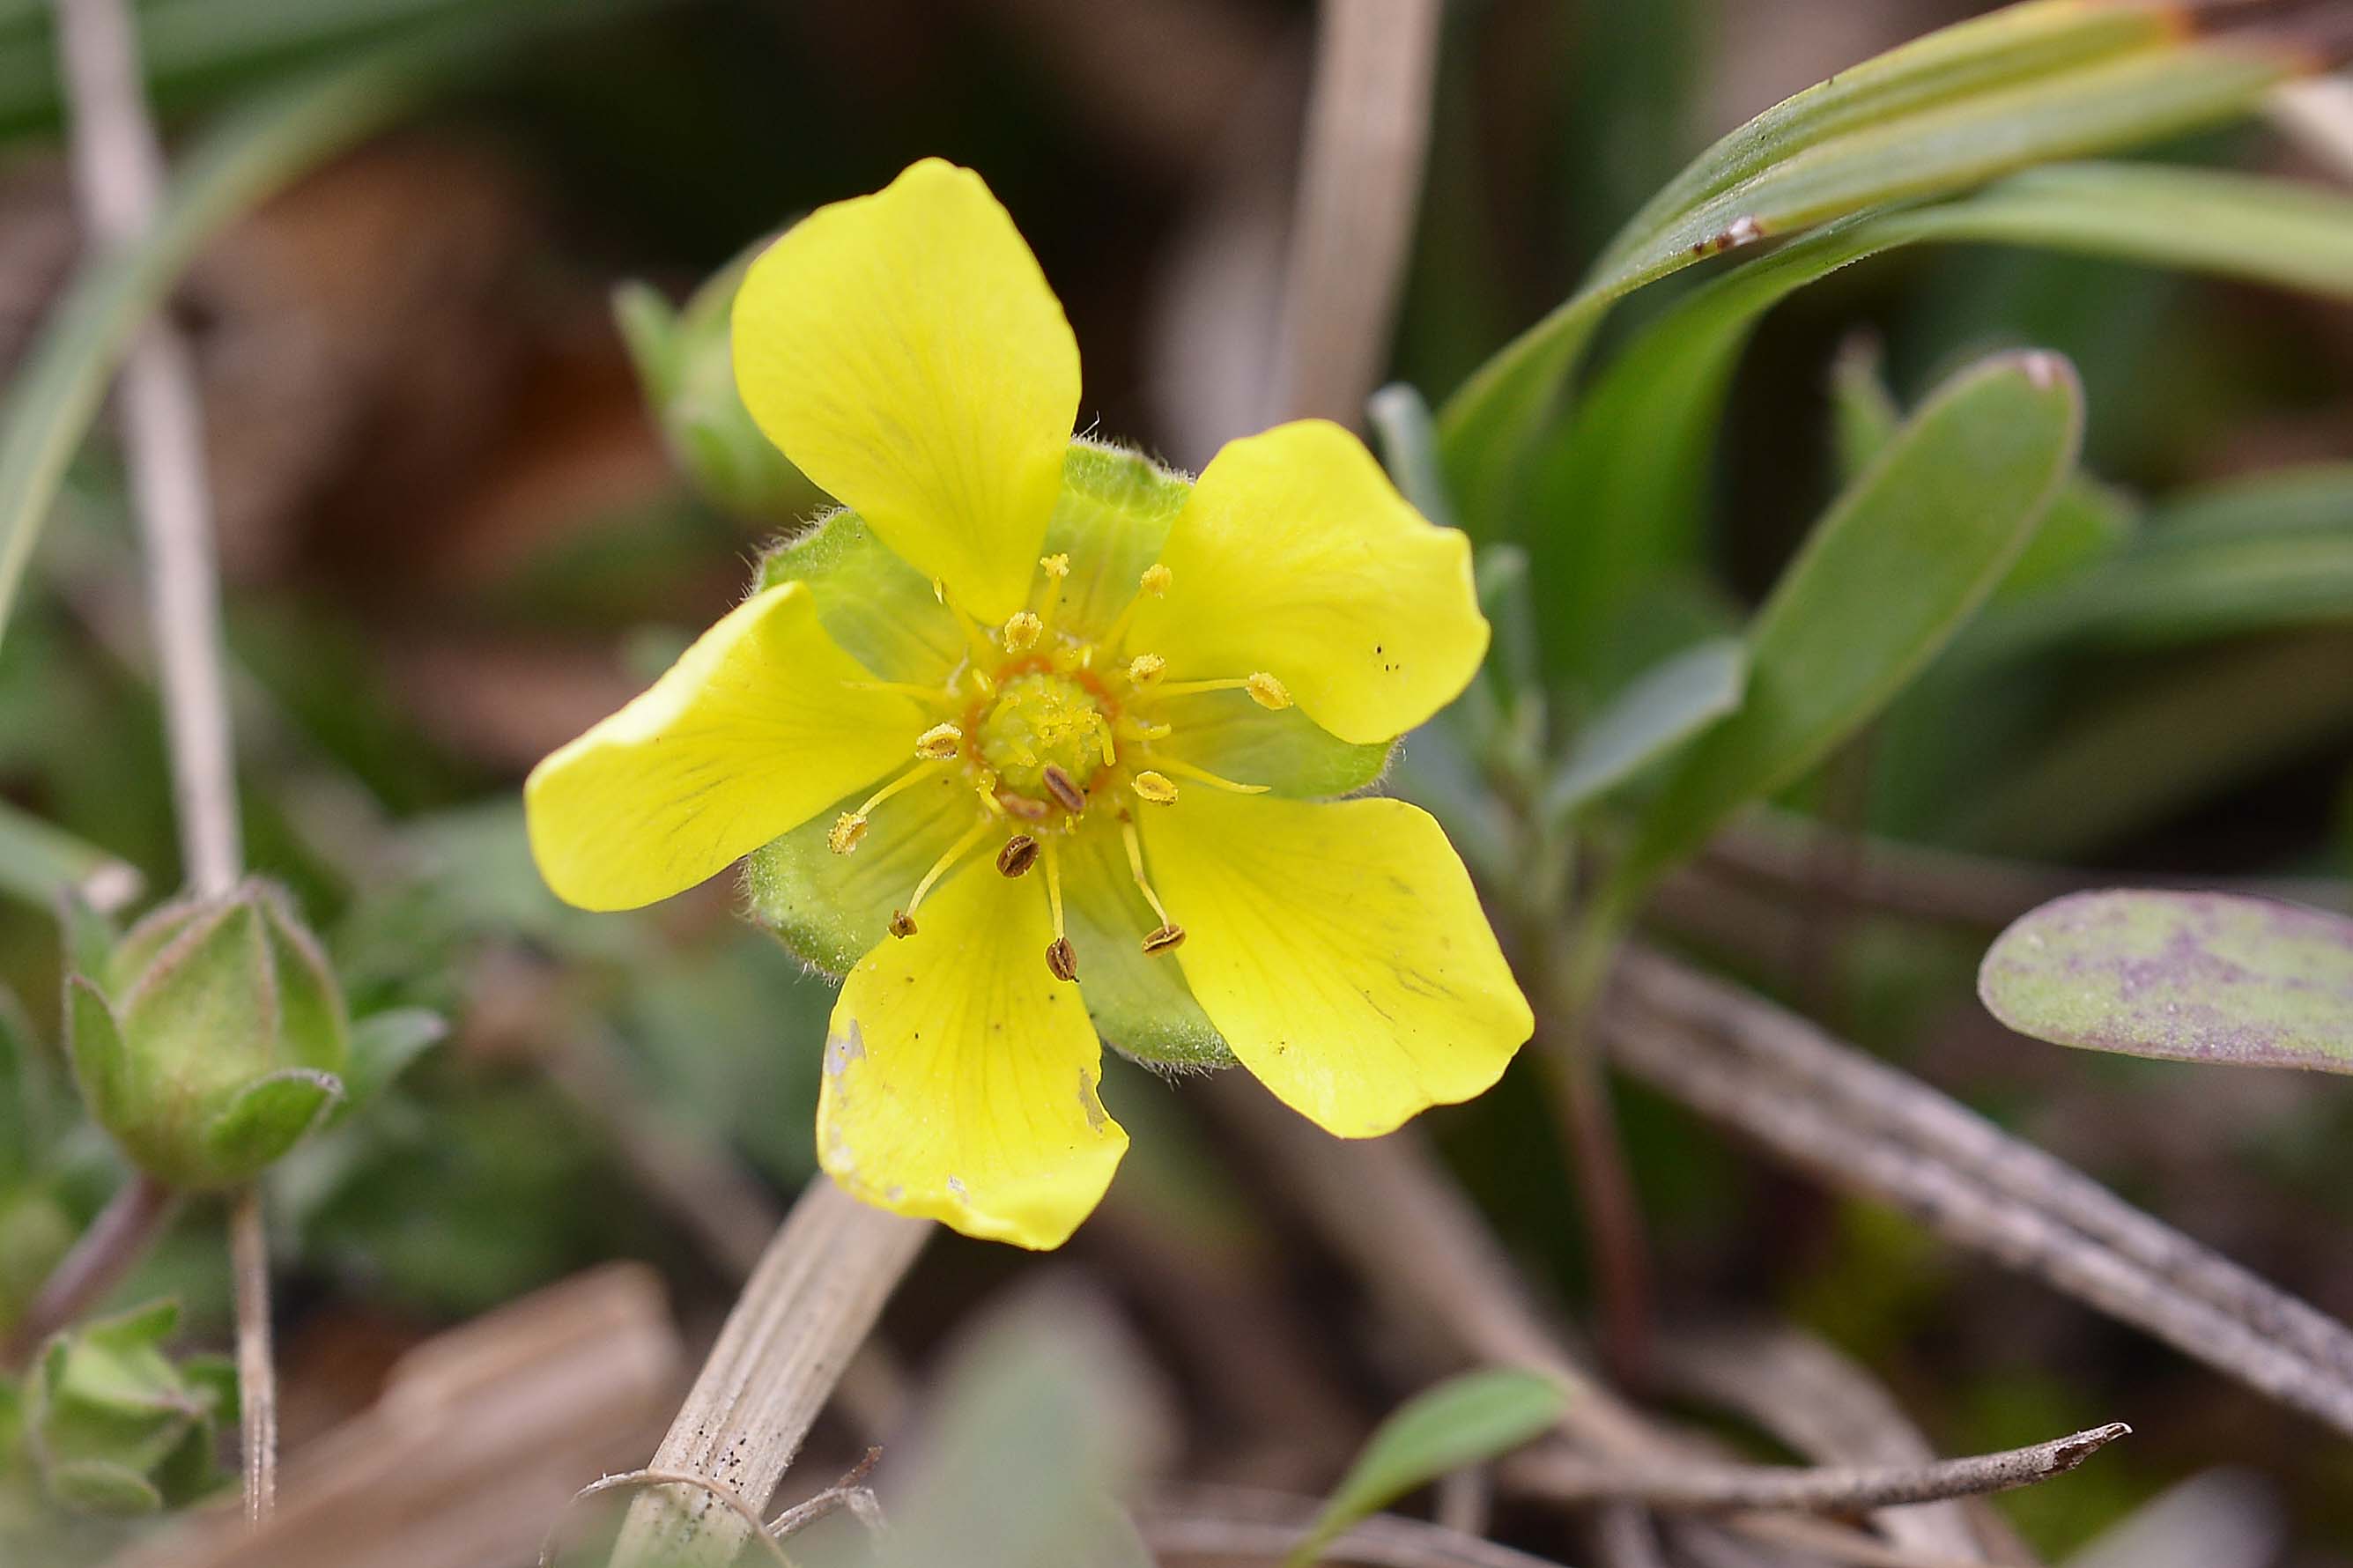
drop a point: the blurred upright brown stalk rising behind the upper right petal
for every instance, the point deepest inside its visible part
(1359, 192)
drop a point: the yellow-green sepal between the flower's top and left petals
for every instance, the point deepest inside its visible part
(876, 606)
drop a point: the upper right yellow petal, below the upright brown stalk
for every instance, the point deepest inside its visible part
(1300, 559)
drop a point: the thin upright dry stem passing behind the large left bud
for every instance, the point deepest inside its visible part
(119, 182)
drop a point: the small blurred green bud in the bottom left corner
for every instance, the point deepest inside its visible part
(116, 1428)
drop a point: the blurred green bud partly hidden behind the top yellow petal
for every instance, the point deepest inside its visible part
(686, 364)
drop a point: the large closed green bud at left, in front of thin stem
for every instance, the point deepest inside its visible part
(218, 1042)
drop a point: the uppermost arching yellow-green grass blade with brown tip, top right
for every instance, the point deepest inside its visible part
(1945, 114)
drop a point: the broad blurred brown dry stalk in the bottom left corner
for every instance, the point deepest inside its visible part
(476, 1444)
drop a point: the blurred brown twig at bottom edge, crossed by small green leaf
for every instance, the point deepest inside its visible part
(1232, 1522)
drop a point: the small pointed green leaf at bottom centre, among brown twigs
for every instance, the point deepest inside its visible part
(1462, 1421)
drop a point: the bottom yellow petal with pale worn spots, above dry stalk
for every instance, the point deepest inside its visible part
(961, 1077)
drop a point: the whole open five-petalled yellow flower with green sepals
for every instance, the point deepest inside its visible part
(1039, 712)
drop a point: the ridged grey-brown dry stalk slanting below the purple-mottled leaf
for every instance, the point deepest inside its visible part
(1862, 1127)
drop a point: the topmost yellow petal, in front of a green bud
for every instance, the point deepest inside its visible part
(909, 357)
